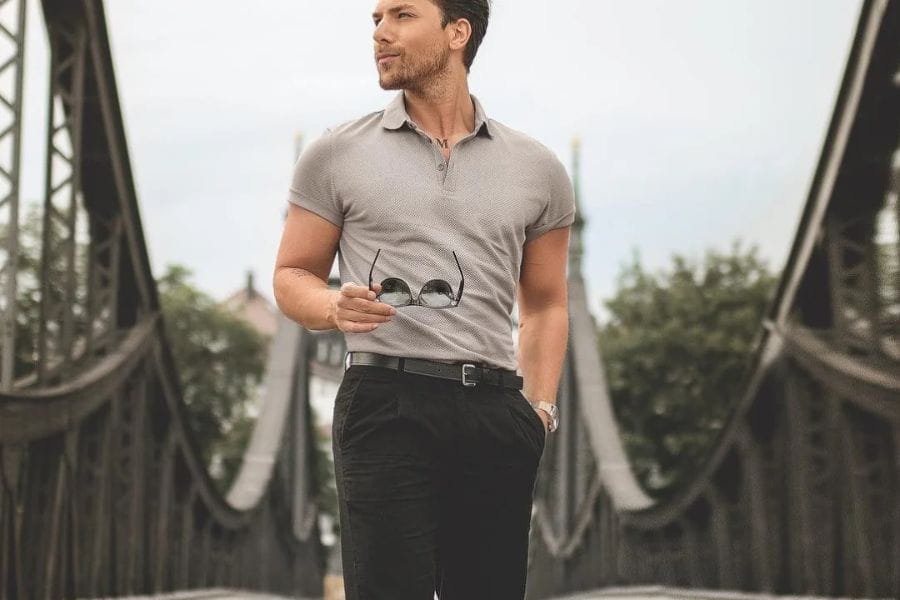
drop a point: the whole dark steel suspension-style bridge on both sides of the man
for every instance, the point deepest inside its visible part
(103, 493)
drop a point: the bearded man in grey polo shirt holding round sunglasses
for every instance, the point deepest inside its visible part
(436, 448)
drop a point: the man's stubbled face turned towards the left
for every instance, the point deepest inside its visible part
(411, 30)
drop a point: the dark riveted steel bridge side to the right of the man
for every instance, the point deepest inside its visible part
(801, 492)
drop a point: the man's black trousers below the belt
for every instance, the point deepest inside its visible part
(435, 484)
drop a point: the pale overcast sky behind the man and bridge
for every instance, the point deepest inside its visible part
(700, 121)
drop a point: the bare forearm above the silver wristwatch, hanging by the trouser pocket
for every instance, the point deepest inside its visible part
(542, 348)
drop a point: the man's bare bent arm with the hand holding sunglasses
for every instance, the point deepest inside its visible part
(300, 281)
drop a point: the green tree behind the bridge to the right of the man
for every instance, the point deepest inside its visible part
(676, 346)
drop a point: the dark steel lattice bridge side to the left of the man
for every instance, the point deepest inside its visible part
(102, 491)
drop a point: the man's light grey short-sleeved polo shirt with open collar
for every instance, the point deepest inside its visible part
(386, 184)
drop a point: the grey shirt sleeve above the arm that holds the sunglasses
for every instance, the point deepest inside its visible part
(312, 182)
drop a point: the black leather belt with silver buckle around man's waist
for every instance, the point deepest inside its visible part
(468, 374)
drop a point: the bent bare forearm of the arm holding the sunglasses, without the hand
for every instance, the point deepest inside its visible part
(305, 298)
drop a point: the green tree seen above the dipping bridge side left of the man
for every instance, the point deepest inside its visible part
(221, 360)
